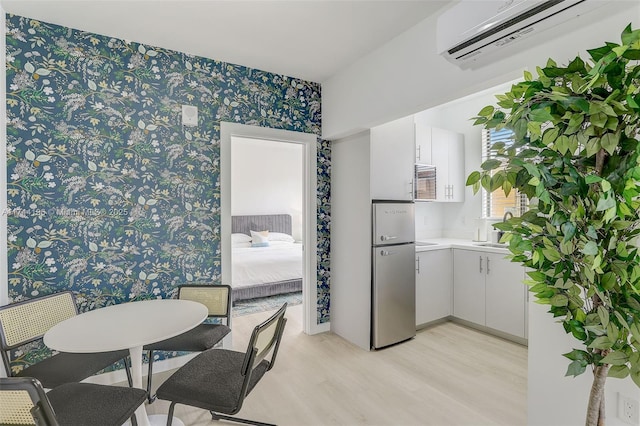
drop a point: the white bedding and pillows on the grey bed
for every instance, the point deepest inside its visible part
(279, 261)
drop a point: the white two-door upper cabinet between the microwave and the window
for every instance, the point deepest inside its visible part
(447, 154)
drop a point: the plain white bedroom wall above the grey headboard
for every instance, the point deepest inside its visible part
(267, 178)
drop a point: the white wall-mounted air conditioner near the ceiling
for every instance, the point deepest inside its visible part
(472, 28)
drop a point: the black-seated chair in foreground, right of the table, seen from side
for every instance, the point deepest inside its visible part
(219, 380)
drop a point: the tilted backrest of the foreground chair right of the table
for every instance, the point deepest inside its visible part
(265, 338)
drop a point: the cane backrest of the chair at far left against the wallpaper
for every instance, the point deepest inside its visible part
(26, 321)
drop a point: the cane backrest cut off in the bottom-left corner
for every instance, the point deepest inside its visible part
(24, 402)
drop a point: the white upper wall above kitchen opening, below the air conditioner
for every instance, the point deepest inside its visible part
(406, 75)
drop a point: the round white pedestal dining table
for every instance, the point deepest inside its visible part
(126, 326)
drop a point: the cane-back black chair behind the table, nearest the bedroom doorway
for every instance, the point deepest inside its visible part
(217, 298)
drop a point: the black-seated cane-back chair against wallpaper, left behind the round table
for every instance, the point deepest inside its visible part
(27, 321)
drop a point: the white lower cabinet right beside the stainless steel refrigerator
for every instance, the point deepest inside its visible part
(434, 281)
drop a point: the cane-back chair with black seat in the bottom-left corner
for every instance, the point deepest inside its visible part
(24, 402)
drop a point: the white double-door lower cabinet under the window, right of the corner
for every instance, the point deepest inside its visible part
(488, 290)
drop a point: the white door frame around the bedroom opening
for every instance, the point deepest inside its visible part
(309, 208)
